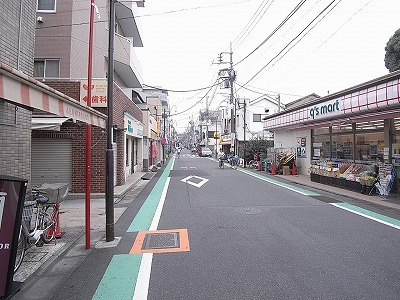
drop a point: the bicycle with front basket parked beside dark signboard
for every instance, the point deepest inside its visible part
(46, 214)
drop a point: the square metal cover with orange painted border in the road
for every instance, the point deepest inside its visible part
(160, 241)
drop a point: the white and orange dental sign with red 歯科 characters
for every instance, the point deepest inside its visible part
(99, 93)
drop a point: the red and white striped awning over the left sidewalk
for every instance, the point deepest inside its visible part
(19, 88)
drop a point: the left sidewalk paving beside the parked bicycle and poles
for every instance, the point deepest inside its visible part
(72, 224)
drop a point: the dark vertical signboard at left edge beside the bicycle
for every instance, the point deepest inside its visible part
(12, 196)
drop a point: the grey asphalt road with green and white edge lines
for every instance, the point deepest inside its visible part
(197, 231)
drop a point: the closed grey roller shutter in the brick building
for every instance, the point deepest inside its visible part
(51, 161)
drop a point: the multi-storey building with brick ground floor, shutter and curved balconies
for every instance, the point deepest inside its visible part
(61, 60)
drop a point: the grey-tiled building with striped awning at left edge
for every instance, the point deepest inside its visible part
(20, 93)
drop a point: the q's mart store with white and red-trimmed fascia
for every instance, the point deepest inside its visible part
(344, 134)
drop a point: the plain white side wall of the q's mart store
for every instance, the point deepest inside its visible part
(288, 139)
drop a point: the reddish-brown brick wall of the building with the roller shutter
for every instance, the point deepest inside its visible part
(77, 132)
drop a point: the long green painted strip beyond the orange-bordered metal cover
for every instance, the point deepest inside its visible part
(144, 217)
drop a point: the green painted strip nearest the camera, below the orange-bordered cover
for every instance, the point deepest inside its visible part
(119, 280)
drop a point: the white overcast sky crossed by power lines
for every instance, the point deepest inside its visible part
(343, 47)
